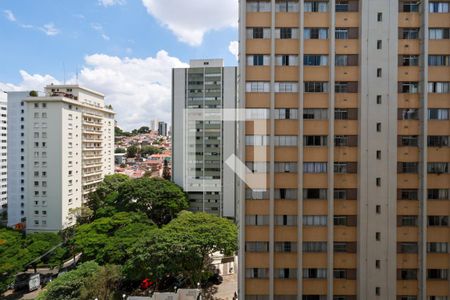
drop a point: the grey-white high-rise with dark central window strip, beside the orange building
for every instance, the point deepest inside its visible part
(202, 139)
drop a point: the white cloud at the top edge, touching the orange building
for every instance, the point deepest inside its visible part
(190, 20)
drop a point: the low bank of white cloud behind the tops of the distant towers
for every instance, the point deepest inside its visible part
(138, 89)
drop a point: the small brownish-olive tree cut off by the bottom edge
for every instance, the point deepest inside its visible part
(103, 284)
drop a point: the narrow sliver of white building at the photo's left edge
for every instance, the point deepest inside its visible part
(3, 152)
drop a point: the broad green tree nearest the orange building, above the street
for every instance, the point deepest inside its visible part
(182, 249)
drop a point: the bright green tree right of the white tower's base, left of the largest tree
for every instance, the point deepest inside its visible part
(106, 240)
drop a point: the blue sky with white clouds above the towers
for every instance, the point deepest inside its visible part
(122, 48)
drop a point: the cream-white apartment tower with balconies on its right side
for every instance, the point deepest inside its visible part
(68, 148)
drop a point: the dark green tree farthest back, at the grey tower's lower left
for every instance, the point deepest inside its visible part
(160, 199)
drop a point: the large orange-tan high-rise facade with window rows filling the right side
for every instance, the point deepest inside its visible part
(350, 104)
